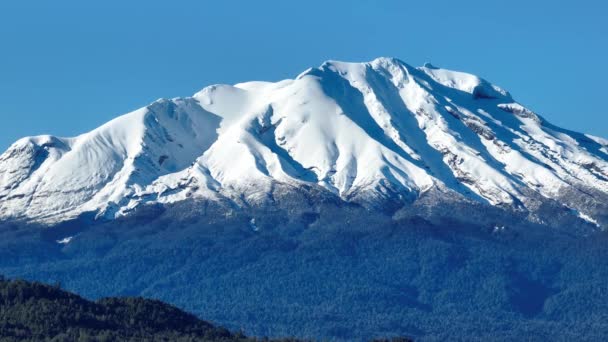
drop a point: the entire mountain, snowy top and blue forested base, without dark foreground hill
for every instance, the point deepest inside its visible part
(356, 200)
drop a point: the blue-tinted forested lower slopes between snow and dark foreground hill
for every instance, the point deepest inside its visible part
(339, 274)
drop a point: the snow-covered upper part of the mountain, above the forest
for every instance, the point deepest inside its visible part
(365, 132)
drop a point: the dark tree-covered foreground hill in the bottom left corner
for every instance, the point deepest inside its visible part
(34, 311)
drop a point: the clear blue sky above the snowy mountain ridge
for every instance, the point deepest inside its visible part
(68, 66)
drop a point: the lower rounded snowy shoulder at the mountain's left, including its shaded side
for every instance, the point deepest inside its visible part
(47, 177)
